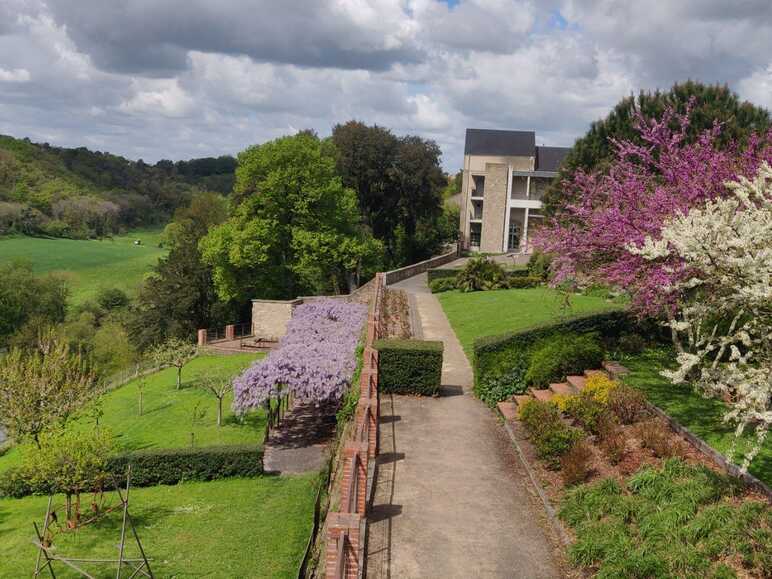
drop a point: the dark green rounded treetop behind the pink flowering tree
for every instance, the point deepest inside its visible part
(709, 104)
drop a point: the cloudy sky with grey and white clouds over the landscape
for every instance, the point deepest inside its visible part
(177, 79)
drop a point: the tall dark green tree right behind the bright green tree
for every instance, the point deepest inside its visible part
(399, 184)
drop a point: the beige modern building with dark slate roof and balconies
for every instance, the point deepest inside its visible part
(505, 176)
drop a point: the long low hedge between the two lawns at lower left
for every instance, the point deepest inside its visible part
(160, 467)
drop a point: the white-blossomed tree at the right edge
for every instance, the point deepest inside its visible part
(723, 327)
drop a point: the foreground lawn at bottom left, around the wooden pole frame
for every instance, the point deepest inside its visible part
(231, 528)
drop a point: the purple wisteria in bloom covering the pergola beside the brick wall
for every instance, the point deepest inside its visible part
(314, 361)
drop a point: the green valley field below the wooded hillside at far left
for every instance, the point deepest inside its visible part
(89, 265)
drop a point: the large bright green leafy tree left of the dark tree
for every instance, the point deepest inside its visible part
(296, 228)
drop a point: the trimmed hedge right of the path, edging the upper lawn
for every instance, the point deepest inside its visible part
(500, 362)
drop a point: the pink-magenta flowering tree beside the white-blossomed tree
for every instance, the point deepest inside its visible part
(645, 186)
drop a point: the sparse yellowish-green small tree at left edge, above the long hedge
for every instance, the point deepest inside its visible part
(42, 388)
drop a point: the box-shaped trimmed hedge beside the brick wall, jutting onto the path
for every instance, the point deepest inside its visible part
(409, 366)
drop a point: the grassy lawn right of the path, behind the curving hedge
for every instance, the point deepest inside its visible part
(486, 313)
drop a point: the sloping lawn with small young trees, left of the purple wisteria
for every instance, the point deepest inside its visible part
(167, 412)
